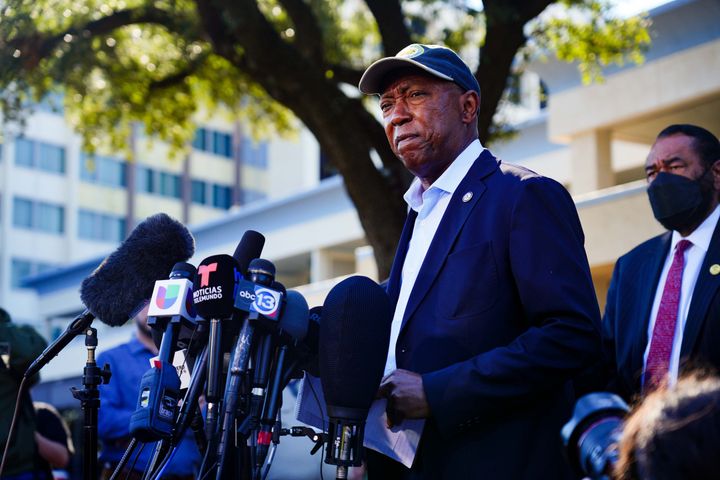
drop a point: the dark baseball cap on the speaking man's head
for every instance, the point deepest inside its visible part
(436, 60)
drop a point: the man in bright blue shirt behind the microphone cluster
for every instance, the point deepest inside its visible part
(118, 400)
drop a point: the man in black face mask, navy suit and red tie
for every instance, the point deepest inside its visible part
(663, 307)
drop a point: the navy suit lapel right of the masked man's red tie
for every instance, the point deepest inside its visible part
(705, 288)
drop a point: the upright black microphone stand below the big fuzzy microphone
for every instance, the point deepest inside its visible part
(90, 402)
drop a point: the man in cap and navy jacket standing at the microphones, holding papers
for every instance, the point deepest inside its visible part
(495, 308)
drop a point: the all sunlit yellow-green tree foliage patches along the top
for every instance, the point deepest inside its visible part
(158, 66)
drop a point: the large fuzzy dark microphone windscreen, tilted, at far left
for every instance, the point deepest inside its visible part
(125, 279)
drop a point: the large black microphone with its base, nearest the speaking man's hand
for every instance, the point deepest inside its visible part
(354, 339)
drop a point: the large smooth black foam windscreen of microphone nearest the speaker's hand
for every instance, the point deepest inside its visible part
(354, 339)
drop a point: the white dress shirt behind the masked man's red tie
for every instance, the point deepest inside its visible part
(694, 256)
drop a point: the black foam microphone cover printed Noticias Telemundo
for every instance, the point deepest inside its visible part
(214, 286)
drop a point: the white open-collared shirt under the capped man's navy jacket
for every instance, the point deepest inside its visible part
(430, 205)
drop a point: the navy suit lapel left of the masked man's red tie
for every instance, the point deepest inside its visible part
(650, 269)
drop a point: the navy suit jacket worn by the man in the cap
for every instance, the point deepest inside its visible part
(502, 316)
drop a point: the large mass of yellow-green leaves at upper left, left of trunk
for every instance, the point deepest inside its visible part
(152, 74)
